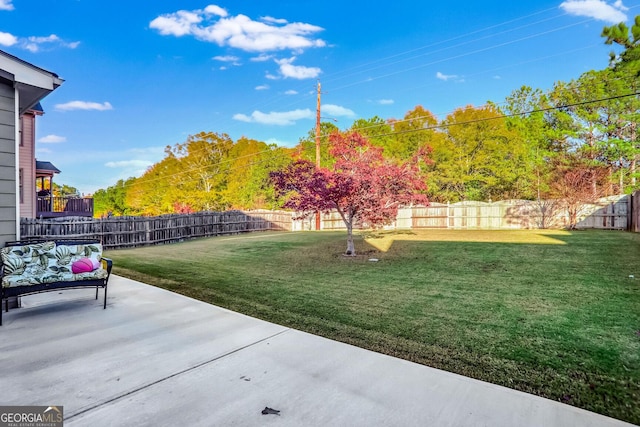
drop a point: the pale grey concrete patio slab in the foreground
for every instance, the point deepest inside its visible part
(157, 358)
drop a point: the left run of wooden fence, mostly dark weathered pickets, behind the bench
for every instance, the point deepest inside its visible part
(129, 231)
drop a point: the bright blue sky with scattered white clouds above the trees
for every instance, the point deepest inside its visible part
(140, 76)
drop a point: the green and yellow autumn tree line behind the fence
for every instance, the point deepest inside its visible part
(577, 140)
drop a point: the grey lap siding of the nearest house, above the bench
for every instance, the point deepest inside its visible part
(7, 163)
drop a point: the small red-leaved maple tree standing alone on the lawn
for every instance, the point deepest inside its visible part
(361, 185)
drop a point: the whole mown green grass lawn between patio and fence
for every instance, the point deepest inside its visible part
(552, 313)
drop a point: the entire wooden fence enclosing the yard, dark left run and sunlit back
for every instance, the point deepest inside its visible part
(612, 213)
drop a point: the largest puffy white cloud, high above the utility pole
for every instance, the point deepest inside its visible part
(213, 24)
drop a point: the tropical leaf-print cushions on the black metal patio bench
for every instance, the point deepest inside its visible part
(47, 263)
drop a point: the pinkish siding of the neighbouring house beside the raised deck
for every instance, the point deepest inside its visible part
(28, 166)
